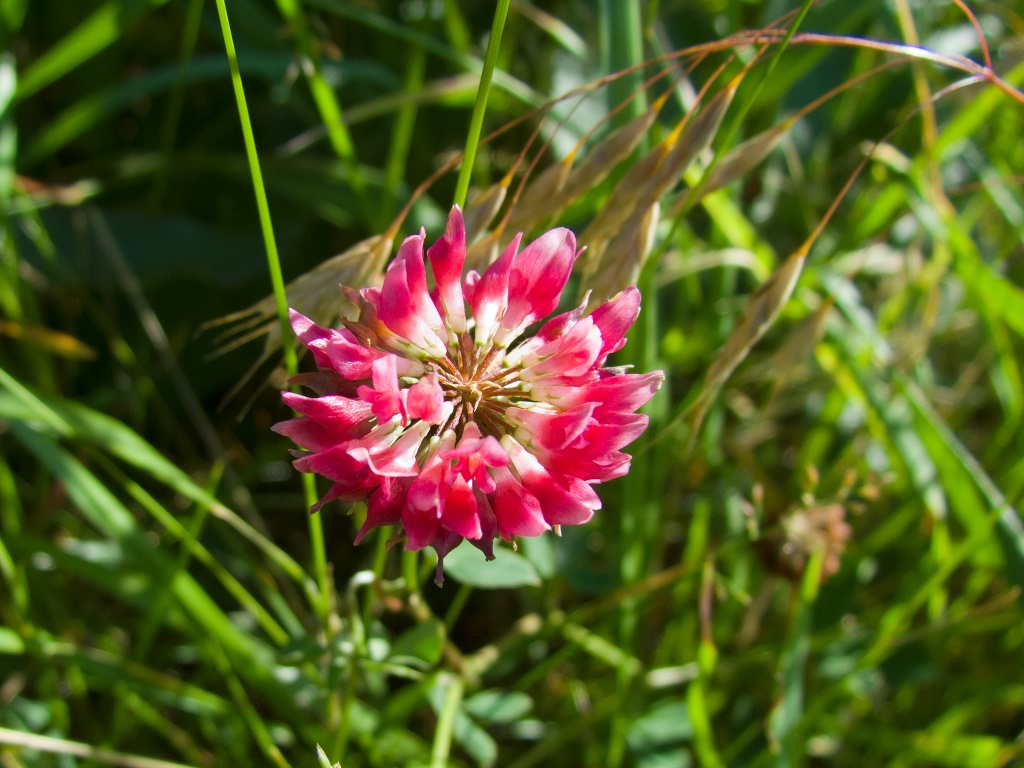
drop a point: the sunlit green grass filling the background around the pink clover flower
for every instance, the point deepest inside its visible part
(819, 556)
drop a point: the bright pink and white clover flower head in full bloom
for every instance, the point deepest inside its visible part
(434, 408)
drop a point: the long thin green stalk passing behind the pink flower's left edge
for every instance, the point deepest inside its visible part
(281, 300)
